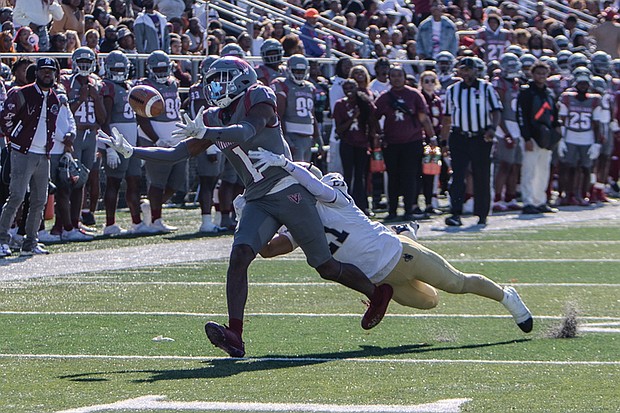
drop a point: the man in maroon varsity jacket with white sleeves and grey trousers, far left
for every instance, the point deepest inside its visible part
(29, 121)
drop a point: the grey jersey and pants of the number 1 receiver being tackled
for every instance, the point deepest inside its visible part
(273, 197)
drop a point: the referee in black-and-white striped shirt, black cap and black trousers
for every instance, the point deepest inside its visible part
(472, 112)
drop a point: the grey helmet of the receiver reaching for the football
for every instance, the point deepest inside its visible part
(227, 80)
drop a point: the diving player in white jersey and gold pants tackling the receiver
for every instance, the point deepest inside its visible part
(411, 269)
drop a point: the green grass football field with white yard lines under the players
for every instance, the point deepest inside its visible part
(83, 342)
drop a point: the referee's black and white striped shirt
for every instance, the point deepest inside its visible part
(470, 107)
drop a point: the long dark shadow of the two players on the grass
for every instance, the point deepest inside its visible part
(226, 367)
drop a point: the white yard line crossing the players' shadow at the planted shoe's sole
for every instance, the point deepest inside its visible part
(313, 359)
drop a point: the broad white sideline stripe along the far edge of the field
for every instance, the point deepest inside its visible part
(219, 248)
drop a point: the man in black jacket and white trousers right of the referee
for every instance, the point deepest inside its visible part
(537, 115)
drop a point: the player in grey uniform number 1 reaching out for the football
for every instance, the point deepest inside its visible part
(245, 119)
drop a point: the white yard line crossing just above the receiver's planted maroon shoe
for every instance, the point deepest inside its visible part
(308, 315)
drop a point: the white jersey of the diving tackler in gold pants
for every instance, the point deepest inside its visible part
(356, 240)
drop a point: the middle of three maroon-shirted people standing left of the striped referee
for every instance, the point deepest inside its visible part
(406, 117)
